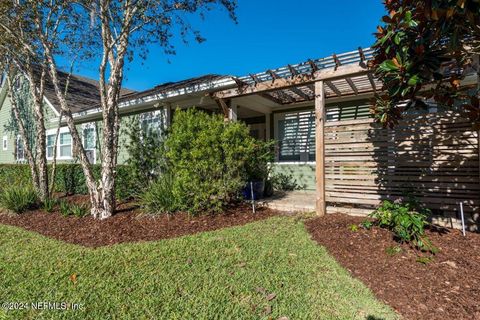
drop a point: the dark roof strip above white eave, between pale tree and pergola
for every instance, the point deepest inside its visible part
(195, 84)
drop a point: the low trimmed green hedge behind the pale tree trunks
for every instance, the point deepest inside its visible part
(69, 178)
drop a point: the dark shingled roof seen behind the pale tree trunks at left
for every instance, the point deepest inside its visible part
(83, 93)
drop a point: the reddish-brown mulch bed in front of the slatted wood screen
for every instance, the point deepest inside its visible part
(446, 288)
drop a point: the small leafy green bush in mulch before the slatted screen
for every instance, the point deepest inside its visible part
(407, 220)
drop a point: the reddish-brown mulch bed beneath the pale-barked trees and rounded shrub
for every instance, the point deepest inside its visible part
(129, 224)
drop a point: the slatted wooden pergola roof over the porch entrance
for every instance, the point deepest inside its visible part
(344, 75)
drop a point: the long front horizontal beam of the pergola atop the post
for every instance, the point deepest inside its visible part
(301, 80)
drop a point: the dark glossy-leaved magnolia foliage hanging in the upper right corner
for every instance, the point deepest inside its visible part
(423, 51)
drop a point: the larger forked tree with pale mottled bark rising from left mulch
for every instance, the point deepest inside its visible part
(115, 31)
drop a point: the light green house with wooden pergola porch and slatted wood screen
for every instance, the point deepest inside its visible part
(320, 104)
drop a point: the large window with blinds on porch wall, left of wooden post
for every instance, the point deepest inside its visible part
(295, 133)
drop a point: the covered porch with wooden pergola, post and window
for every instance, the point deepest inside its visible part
(293, 105)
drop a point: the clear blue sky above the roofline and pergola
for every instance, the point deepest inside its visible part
(269, 34)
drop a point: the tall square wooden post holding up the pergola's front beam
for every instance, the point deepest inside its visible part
(320, 147)
